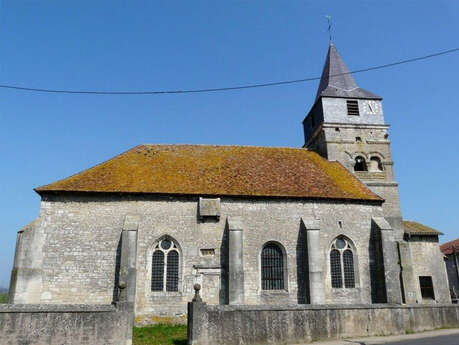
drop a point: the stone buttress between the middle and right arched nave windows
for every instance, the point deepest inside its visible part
(315, 261)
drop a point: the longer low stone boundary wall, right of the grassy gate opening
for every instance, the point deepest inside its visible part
(228, 325)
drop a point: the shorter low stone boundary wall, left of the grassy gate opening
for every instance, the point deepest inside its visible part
(66, 324)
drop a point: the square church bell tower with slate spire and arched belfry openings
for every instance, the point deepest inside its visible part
(346, 124)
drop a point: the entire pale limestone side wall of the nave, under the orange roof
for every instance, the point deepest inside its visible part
(81, 249)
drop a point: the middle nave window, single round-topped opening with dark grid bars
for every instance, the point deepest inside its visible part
(272, 267)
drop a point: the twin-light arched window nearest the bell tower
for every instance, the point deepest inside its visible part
(342, 264)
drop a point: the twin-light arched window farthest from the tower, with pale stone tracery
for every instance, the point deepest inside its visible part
(165, 266)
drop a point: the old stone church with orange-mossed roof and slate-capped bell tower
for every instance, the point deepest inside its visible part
(319, 224)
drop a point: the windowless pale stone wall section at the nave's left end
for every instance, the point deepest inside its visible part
(81, 249)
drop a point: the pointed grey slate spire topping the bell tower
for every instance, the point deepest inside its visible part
(336, 81)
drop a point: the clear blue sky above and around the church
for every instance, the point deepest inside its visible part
(138, 45)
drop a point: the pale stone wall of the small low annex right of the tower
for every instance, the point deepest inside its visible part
(428, 261)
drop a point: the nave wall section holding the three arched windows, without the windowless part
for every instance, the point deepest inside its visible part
(262, 221)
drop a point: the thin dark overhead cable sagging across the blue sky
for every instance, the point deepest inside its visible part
(229, 88)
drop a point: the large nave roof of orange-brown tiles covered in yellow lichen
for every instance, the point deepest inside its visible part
(218, 170)
